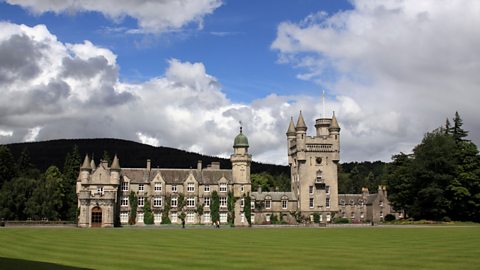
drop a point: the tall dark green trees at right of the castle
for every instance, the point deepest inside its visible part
(440, 180)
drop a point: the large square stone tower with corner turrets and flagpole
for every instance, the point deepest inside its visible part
(313, 164)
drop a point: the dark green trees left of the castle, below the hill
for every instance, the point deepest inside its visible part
(27, 193)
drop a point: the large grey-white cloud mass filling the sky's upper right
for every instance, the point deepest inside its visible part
(399, 68)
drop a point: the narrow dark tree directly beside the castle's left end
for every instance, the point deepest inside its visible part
(71, 169)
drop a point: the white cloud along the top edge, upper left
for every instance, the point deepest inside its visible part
(152, 16)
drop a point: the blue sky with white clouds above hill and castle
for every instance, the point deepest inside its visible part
(183, 73)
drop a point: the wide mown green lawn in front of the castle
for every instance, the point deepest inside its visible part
(440, 247)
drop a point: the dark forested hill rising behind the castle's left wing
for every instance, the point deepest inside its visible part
(131, 154)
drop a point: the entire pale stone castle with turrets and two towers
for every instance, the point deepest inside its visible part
(103, 191)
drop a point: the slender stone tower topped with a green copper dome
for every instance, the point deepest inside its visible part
(241, 161)
